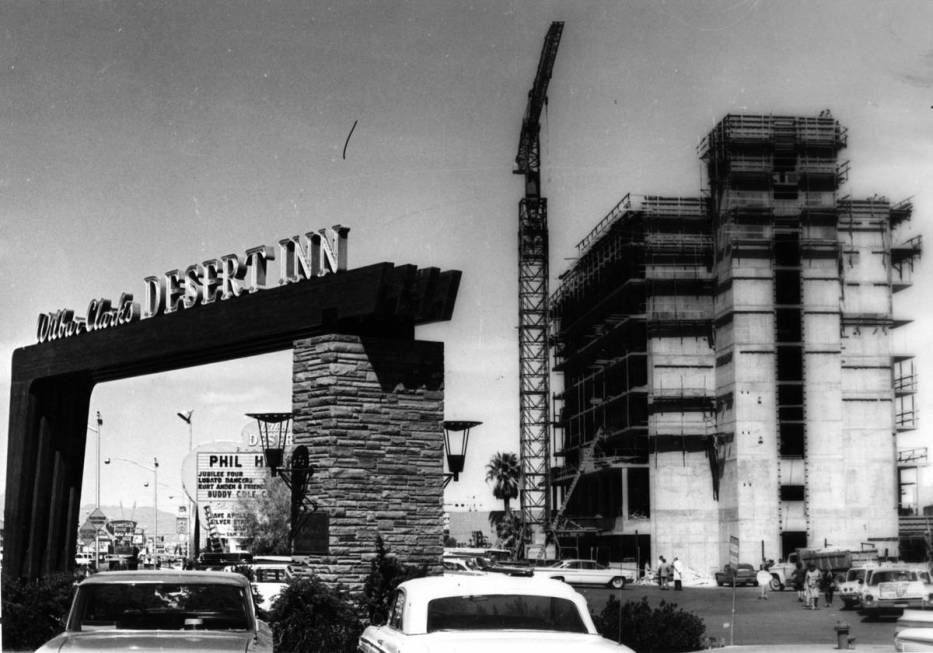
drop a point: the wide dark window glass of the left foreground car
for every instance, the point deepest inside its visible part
(160, 606)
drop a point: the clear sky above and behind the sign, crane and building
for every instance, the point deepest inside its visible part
(139, 137)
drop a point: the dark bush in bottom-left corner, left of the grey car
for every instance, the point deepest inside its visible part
(34, 611)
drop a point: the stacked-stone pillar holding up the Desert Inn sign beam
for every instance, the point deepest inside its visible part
(370, 412)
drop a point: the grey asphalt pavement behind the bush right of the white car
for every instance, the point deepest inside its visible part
(779, 620)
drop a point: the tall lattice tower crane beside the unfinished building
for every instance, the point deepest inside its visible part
(534, 370)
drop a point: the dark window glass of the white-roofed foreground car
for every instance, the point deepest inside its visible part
(504, 612)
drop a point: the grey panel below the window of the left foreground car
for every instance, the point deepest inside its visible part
(136, 640)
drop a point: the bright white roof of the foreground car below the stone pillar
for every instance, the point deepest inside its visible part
(438, 586)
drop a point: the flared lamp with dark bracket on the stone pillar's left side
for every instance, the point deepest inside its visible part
(295, 469)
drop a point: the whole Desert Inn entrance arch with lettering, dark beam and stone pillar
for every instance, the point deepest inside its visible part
(367, 397)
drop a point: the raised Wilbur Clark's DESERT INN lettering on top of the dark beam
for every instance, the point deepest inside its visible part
(218, 279)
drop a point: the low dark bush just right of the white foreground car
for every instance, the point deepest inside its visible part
(646, 629)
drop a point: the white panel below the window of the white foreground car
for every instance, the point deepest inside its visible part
(515, 641)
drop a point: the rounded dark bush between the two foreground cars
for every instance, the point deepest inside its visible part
(310, 616)
